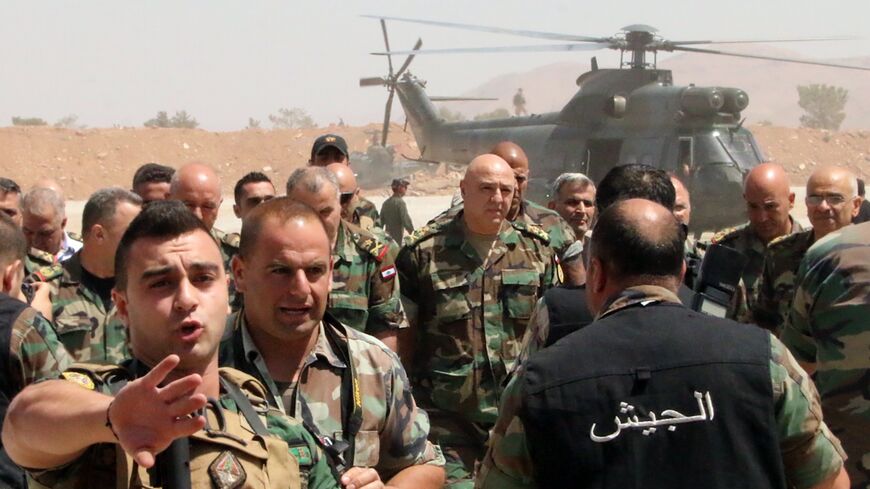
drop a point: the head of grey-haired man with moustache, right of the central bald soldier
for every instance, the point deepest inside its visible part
(573, 198)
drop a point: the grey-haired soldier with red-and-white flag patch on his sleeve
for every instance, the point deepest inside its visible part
(365, 290)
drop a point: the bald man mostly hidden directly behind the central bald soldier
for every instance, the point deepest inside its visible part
(522, 210)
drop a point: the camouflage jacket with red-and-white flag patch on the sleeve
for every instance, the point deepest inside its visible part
(365, 286)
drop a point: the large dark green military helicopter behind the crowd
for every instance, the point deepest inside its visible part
(625, 115)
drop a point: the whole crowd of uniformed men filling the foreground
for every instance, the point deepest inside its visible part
(503, 344)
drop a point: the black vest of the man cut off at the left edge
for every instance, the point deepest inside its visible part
(10, 474)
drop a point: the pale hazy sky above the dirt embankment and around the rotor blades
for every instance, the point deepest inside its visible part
(119, 61)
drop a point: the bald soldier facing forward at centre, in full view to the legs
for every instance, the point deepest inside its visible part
(469, 285)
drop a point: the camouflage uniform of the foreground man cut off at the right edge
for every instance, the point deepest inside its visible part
(828, 326)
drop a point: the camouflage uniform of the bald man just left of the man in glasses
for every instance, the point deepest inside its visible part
(744, 240)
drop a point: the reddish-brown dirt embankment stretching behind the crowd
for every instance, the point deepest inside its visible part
(84, 160)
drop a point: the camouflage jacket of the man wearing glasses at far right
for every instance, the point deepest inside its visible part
(776, 283)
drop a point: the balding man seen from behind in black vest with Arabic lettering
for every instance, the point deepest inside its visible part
(810, 455)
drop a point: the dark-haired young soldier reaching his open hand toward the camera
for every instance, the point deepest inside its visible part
(169, 406)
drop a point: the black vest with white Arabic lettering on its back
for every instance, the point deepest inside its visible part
(654, 396)
